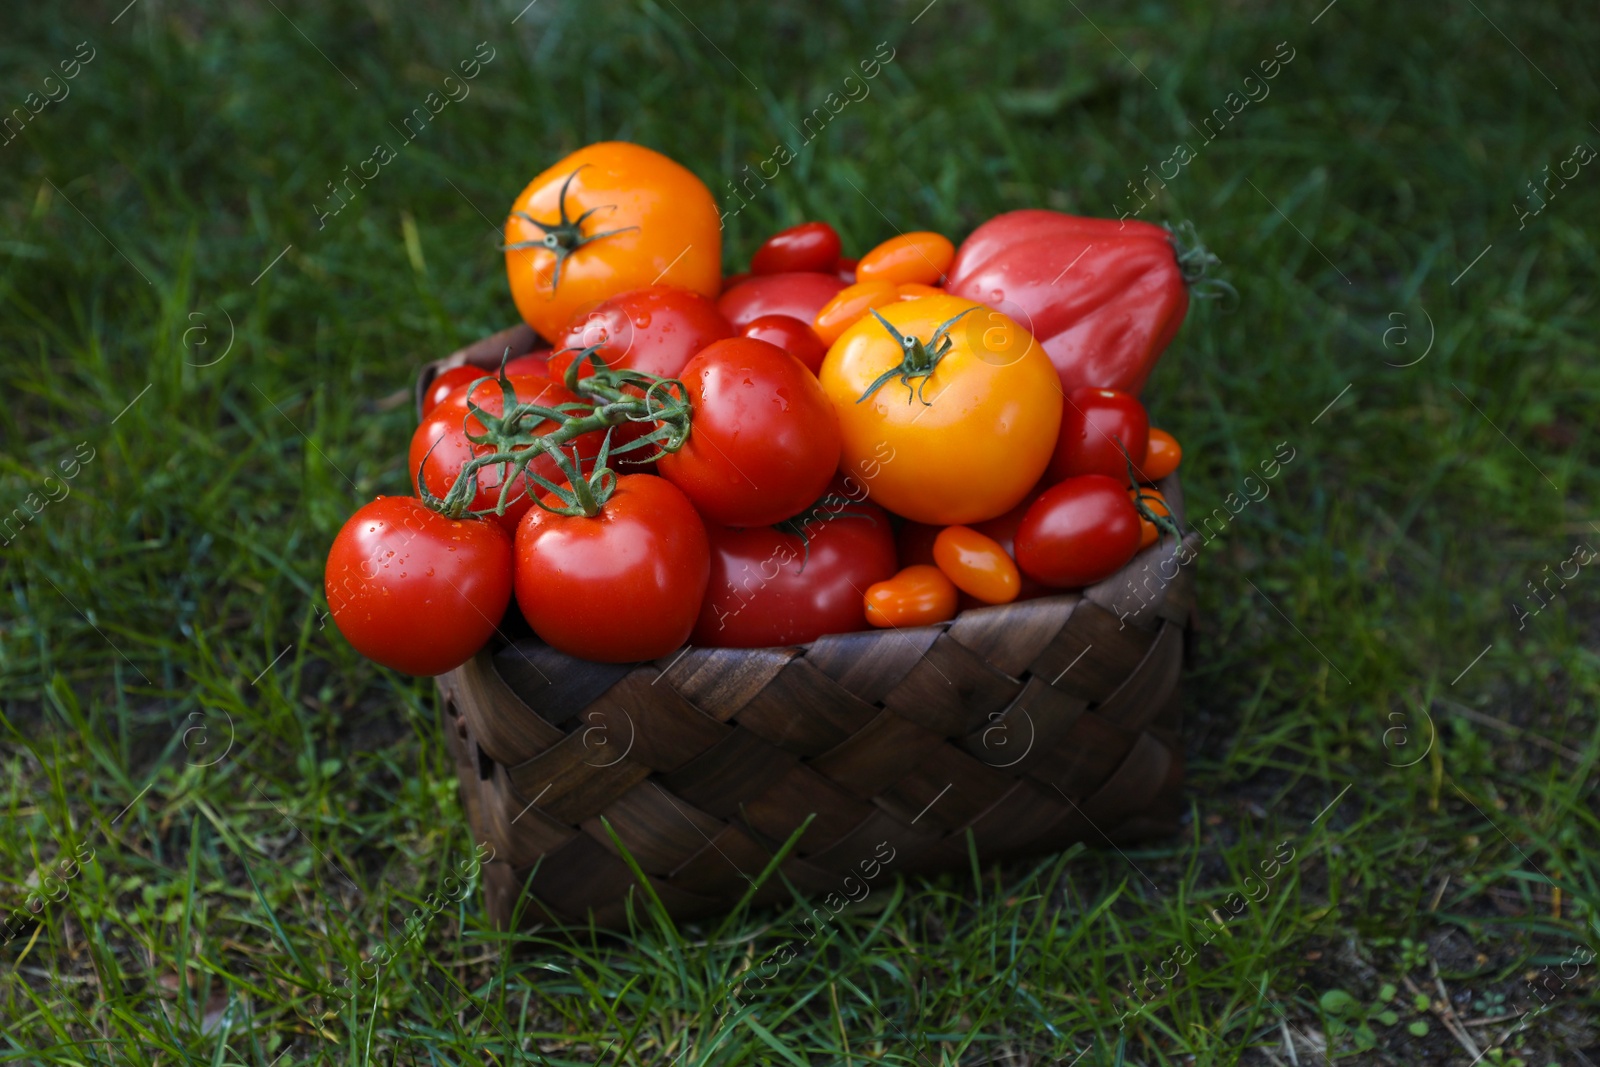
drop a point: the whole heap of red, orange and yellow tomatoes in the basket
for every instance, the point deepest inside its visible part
(815, 447)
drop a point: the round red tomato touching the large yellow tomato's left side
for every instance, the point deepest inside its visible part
(764, 442)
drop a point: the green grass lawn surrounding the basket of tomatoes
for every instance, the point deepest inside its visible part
(169, 607)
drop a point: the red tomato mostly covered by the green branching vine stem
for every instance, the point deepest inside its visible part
(442, 441)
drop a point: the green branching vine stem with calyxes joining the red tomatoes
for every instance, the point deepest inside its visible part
(511, 441)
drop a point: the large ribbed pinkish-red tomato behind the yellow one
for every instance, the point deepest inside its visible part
(1103, 297)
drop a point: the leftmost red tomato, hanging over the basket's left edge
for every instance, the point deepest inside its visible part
(415, 591)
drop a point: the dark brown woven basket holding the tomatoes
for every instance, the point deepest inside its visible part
(1025, 727)
